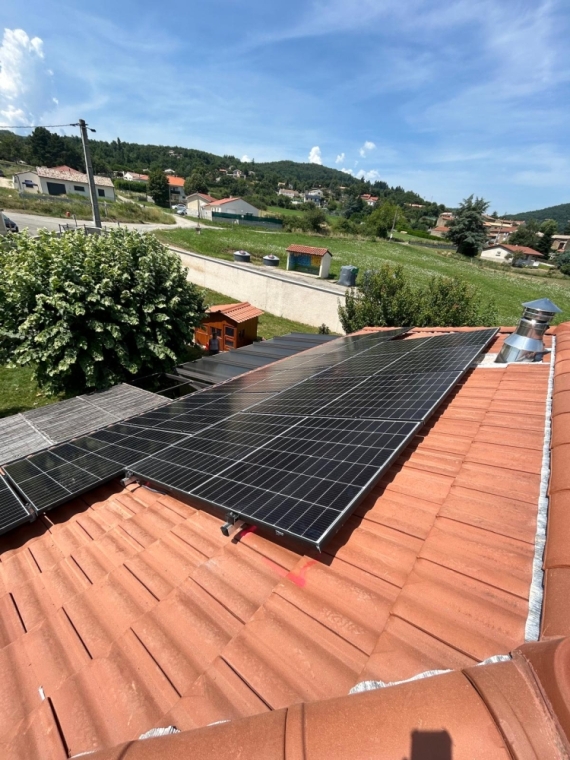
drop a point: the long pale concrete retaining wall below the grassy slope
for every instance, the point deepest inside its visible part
(280, 294)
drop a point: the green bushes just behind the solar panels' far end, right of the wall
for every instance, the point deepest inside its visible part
(387, 298)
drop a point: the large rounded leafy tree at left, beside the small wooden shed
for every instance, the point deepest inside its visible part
(89, 311)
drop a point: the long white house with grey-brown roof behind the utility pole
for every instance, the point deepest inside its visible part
(62, 180)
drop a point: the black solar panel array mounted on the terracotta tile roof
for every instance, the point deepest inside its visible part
(293, 446)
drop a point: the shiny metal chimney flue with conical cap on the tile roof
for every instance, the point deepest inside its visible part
(526, 343)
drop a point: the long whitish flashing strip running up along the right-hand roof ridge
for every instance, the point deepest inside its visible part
(536, 595)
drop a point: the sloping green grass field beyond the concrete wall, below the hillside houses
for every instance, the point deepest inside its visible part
(507, 288)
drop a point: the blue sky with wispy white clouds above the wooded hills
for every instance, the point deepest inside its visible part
(445, 98)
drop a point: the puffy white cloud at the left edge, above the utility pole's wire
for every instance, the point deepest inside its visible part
(25, 81)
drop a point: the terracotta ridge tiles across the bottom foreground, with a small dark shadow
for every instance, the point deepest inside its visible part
(499, 711)
